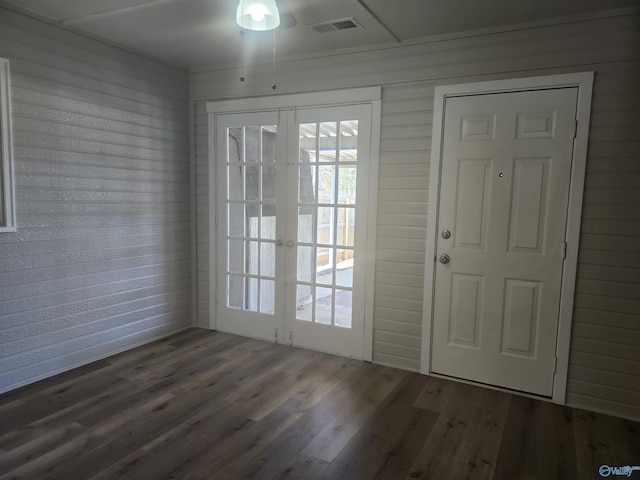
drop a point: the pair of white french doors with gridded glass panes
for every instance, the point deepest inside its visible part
(291, 200)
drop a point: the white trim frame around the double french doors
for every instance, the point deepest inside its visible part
(369, 95)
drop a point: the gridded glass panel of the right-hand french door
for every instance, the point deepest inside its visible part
(326, 228)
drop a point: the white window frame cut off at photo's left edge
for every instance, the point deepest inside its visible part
(7, 202)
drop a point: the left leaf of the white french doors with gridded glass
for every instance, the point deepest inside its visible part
(251, 224)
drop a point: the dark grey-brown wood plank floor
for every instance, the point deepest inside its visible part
(208, 405)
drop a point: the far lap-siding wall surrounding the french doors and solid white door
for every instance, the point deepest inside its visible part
(605, 351)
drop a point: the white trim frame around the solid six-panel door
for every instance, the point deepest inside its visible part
(584, 82)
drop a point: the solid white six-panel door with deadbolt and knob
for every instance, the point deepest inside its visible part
(506, 167)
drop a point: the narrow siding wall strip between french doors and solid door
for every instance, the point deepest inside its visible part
(407, 113)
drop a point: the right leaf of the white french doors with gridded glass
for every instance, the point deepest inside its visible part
(329, 196)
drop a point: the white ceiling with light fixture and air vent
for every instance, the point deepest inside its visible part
(199, 33)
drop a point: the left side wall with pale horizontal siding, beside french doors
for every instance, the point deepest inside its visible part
(101, 259)
